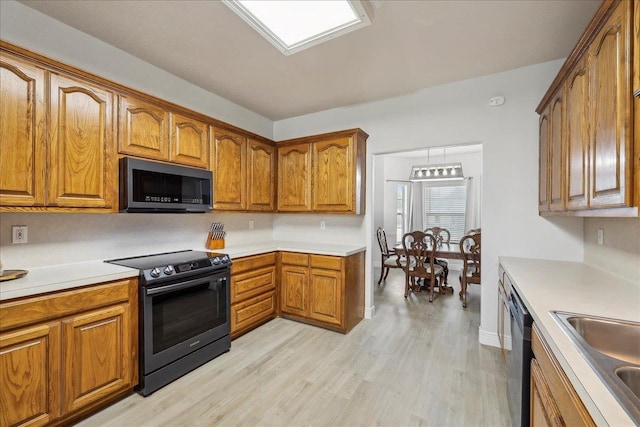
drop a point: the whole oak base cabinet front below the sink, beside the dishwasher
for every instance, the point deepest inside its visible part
(554, 401)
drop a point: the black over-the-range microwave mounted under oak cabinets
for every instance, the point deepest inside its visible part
(147, 186)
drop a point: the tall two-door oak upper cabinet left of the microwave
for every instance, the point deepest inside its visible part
(58, 151)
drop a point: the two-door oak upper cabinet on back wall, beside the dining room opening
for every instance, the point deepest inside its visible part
(323, 173)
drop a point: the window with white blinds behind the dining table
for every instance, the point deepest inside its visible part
(445, 207)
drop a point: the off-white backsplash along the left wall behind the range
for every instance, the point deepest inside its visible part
(64, 238)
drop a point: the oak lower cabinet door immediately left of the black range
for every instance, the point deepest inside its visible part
(96, 355)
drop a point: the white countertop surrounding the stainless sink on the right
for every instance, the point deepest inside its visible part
(575, 287)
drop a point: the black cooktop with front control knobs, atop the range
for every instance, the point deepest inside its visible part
(174, 264)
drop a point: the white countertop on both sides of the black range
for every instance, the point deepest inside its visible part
(67, 276)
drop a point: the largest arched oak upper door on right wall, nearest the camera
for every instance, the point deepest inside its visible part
(610, 151)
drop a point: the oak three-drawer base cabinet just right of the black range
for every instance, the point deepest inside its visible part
(253, 292)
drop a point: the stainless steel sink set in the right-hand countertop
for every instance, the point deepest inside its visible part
(612, 348)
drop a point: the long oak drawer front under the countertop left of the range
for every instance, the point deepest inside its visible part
(43, 308)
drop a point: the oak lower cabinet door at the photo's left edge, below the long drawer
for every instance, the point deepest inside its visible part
(29, 375)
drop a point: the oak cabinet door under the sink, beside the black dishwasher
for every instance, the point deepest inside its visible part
(543, 412)
